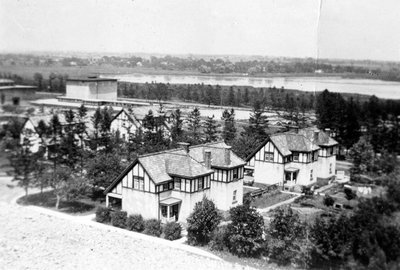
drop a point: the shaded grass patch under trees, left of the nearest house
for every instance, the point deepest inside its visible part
(47, 199)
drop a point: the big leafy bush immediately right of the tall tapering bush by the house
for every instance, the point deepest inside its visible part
(245, 232)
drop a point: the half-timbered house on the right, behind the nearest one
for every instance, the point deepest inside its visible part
(294, 158)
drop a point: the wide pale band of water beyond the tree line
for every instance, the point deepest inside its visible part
(382, 89)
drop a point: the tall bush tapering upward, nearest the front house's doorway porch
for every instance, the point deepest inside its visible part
(202, 222)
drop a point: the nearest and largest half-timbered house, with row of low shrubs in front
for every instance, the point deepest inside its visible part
(167, 185)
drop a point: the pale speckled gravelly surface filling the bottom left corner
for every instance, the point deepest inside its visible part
(33, 240)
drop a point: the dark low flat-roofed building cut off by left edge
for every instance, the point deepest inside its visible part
(10, 93)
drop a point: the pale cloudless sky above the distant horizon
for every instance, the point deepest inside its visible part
(346, 29)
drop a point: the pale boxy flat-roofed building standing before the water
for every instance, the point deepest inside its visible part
(92, 88)
